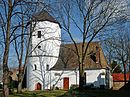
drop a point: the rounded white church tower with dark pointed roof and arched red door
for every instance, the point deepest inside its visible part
(44, 48)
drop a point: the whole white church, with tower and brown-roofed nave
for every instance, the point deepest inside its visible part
(52, 64)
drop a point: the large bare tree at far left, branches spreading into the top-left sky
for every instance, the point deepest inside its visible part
(14, 16)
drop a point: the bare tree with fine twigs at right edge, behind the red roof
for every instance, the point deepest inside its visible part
(118, 48)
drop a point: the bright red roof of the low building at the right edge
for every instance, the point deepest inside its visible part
(120, 77)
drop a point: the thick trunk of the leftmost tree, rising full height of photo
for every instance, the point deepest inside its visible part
(6, 53)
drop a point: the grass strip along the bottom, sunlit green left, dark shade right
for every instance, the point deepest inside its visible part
(74, 93)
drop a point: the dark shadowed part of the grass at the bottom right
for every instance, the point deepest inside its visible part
(95, 93)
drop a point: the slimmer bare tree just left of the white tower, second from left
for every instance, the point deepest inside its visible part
(22, 41)
